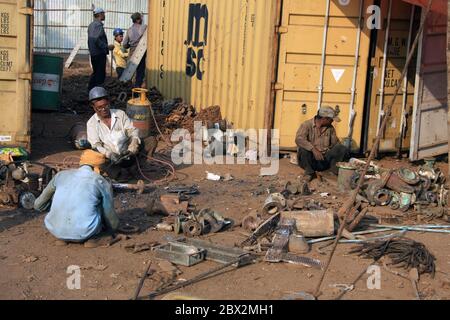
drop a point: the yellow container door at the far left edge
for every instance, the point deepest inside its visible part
(15, 72)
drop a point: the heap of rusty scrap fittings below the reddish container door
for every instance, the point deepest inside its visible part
(400, 189)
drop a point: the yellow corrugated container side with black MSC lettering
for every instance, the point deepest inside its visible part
(214, 52)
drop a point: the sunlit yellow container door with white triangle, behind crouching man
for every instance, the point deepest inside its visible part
(321, 63)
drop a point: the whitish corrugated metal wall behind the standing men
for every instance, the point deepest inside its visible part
(60, 24)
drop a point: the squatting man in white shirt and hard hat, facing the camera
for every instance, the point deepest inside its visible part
(111, 132)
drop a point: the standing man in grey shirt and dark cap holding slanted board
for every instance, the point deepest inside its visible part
(131, 41)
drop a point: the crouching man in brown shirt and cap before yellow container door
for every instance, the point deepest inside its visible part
(319, 148)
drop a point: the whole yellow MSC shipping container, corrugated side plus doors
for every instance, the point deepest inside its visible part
(272, 63)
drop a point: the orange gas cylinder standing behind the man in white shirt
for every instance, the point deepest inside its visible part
(139, 111)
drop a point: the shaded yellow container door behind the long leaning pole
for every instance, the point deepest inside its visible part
(393, 42)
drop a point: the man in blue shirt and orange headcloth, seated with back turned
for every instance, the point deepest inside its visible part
(81, 202)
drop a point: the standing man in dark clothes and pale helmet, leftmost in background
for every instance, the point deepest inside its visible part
(98, 48)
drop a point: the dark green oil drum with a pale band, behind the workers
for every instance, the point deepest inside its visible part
(47, 82)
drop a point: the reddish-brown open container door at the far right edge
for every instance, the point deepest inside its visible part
(430, 135)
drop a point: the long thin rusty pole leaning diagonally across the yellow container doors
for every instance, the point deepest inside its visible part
(348, 205)
